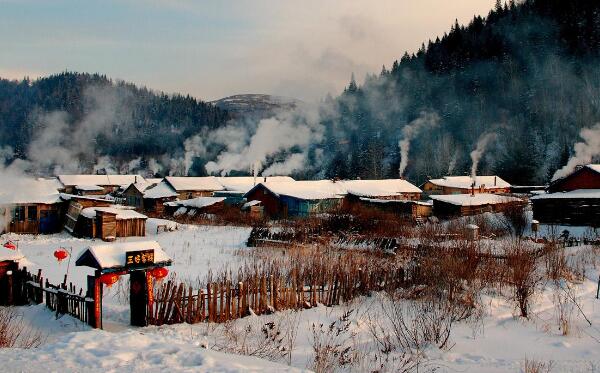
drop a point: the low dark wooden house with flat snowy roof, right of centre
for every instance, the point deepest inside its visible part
(452, 205)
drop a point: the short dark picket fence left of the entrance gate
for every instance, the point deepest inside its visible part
(63, 298)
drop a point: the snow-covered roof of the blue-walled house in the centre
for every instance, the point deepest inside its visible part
(307, 189)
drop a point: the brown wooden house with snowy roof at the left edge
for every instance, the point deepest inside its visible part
(33, 207)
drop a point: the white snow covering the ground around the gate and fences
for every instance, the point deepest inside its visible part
(499, 342)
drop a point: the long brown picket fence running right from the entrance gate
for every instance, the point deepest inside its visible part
(265, 293)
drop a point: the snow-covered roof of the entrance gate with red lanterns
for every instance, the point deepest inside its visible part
(112, 255)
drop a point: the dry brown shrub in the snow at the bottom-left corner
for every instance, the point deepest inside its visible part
(15, 333)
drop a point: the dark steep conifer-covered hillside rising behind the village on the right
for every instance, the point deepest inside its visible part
(529, 73)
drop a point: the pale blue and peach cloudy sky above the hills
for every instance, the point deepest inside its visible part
(213, 49)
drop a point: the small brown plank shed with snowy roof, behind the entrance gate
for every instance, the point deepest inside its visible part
(110, 222)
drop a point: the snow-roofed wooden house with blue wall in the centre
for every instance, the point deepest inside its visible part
(298, 198)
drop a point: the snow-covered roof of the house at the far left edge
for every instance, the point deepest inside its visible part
(25, 190)
